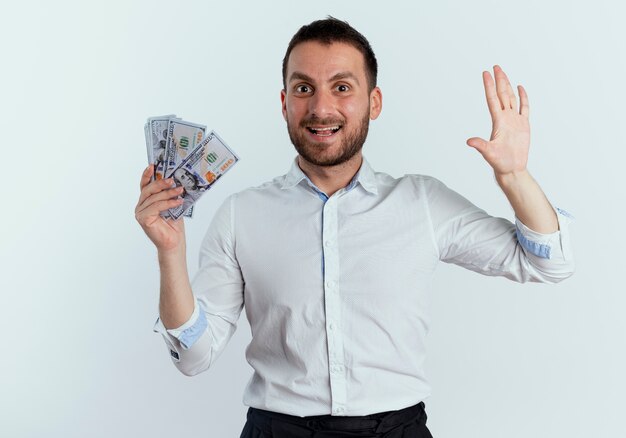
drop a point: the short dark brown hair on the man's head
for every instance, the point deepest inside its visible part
(331, 30)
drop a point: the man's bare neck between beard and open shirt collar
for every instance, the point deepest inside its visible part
(329, 179)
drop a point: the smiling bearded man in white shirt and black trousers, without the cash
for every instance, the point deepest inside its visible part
(334, 271)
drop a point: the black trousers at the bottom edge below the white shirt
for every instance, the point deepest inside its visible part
(405, 423)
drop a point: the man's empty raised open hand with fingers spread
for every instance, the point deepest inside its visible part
(507, 149)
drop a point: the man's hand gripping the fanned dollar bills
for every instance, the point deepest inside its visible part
(157, 196)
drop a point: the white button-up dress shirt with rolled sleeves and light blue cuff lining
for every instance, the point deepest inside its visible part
(336, 289)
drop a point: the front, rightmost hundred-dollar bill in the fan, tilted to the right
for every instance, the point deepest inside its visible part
(201, 169)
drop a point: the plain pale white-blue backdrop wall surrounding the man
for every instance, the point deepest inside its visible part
(80, 280)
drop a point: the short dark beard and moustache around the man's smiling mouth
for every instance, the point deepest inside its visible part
(314, 152)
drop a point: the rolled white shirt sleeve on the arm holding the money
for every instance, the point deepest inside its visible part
(218, 289)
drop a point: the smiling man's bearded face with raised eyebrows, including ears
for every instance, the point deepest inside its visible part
(326, 102)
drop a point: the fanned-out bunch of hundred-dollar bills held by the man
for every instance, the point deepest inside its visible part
(180, 150)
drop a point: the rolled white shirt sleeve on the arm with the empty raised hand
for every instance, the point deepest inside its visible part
(467, 236)
